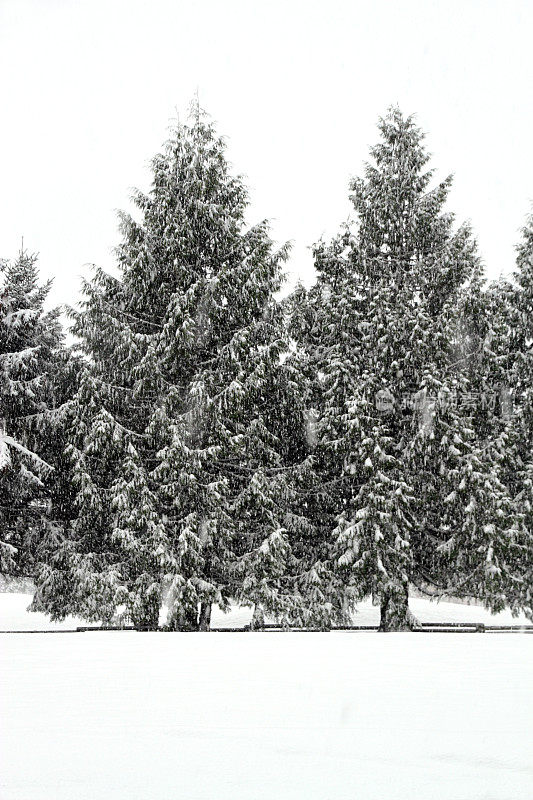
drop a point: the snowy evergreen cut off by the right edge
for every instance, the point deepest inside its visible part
(492, 561)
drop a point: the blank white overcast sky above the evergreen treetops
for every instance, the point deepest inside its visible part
(88, 89)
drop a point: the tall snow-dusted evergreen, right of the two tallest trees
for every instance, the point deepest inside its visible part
(383, 334)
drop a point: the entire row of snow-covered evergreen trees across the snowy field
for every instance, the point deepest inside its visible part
(205, 441)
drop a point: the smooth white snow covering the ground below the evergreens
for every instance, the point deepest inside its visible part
(265, 716)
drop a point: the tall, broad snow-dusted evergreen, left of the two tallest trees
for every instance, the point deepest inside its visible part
(177, 445)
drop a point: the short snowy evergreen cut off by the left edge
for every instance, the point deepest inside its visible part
(32, 362)
